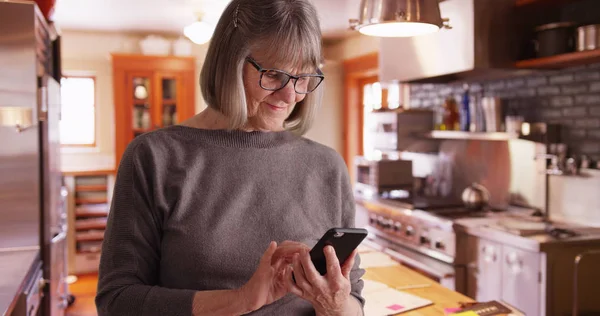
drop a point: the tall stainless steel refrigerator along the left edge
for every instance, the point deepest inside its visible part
(32, 202)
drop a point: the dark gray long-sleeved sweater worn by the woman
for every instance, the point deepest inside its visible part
(195, 209)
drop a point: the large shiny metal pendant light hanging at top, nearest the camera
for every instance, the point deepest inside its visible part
(399, 18)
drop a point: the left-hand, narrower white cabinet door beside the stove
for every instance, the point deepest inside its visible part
(489, 271)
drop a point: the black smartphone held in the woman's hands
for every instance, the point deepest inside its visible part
(343, 240)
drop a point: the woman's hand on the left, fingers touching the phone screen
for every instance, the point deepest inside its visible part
(268, 283)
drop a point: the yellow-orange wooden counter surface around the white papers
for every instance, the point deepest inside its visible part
(401, 276)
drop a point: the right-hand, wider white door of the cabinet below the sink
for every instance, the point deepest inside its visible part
(521, 286)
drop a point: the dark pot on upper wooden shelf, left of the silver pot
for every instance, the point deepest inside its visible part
(555, 38)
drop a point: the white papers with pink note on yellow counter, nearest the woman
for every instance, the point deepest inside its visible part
(382, 300)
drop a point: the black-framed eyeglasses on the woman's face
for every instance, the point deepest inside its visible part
(275, 79)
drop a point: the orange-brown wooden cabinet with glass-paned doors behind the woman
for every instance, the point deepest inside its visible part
(150, 92)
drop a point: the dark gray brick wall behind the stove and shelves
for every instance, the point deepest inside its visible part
(570, 97)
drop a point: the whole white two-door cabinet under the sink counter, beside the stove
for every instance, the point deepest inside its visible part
(502, 272)
